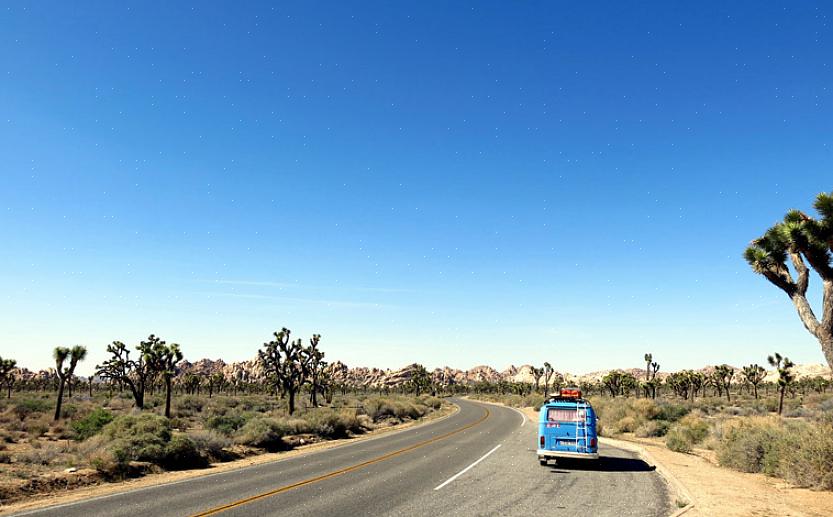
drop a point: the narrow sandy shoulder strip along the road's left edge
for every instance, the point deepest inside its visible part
(42, 500)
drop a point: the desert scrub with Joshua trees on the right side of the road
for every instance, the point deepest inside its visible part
(781, 428)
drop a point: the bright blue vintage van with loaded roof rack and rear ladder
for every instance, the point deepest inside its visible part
(567, 428)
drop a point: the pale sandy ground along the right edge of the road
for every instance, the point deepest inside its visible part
(719, 491)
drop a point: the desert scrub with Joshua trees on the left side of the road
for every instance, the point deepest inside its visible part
(138, 415)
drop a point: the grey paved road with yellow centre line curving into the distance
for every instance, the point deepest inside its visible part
(410, 473)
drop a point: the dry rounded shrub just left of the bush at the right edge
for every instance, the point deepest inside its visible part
(750, 445)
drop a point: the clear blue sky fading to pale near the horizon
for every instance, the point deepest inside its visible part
(454, 183)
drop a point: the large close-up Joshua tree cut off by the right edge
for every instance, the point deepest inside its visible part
(803, 240)
